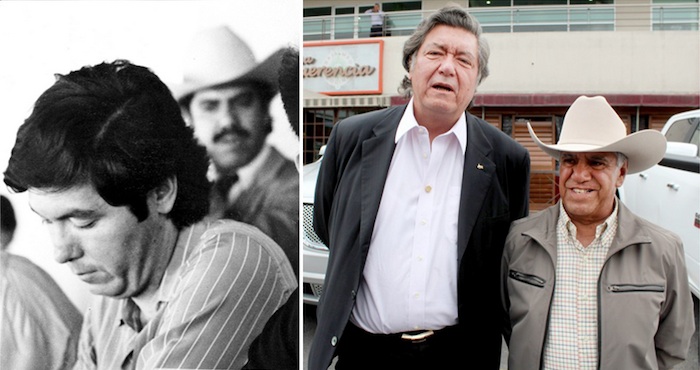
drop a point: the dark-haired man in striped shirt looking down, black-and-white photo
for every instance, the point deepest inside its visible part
(120, 182)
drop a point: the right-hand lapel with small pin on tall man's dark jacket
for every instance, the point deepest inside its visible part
(478, 171)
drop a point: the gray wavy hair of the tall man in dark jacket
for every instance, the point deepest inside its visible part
(453, 16)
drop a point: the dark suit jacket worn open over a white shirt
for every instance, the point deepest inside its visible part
(350, 184)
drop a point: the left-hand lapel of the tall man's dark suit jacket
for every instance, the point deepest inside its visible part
(377, 152)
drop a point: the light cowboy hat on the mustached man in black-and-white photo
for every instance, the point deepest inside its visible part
(217, 56)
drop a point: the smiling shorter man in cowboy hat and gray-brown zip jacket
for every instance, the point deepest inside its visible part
(587, 284)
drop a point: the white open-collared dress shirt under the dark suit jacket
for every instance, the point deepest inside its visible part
(410, 276)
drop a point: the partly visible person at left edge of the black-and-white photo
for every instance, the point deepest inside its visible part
(39, 325)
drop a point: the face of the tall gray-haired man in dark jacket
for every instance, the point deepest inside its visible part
(444, 74)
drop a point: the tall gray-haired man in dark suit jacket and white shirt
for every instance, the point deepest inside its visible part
(414, 203)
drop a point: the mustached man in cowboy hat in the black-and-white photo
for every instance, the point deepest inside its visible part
(225, 96)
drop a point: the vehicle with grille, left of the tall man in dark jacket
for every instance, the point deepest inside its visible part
(314, 252)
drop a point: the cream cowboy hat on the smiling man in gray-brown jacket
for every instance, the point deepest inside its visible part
(592, 125)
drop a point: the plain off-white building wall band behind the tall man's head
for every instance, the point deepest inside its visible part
(641, 62)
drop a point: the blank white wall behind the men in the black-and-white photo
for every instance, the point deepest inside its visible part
(40, 38)
